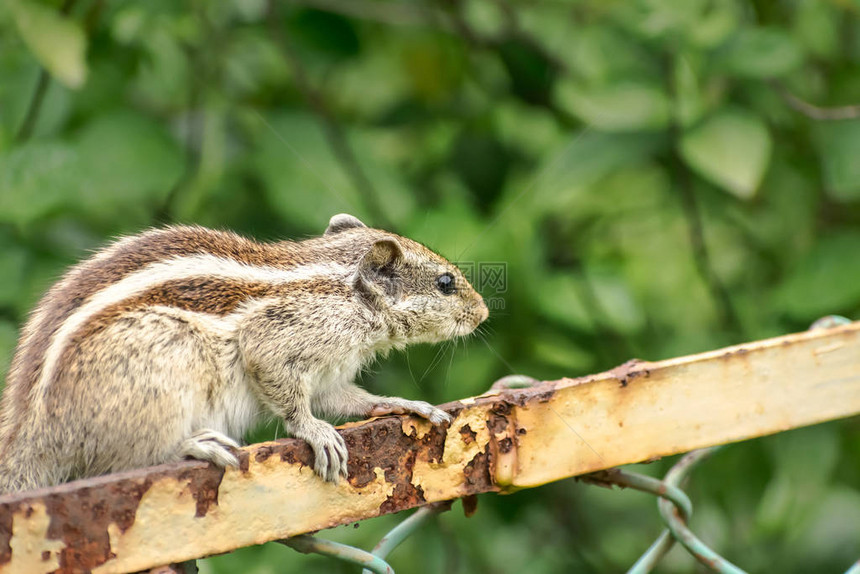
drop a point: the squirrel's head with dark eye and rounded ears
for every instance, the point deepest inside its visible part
(422, 297)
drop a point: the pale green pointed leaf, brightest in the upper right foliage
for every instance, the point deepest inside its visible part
(731, 149)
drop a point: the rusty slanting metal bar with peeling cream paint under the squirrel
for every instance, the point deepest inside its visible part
(502, 441)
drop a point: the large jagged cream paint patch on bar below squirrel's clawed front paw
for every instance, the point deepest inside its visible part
(272, 500)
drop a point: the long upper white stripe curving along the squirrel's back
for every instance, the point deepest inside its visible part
(178, 268)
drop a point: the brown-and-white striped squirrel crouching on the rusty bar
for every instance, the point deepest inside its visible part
(172, 343)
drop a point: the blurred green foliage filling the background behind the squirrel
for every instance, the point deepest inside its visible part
(653, 173)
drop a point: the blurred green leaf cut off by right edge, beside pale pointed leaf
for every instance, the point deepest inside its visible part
(837, 144)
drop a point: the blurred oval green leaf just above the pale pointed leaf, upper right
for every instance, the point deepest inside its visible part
(763, 53)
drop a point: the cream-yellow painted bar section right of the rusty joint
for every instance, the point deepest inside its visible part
(643, 410)
